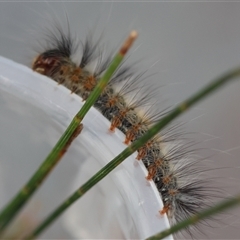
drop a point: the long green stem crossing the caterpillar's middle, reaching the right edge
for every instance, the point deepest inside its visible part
(214, 85)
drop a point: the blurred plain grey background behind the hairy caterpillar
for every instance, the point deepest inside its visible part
(185, 43)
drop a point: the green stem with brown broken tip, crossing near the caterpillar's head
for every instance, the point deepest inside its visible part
(64, 142)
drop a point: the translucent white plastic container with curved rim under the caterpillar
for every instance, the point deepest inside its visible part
(34, 111)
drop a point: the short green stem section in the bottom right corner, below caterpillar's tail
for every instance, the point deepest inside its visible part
(220, 207)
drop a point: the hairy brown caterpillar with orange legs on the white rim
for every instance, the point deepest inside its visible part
(126, 104)
